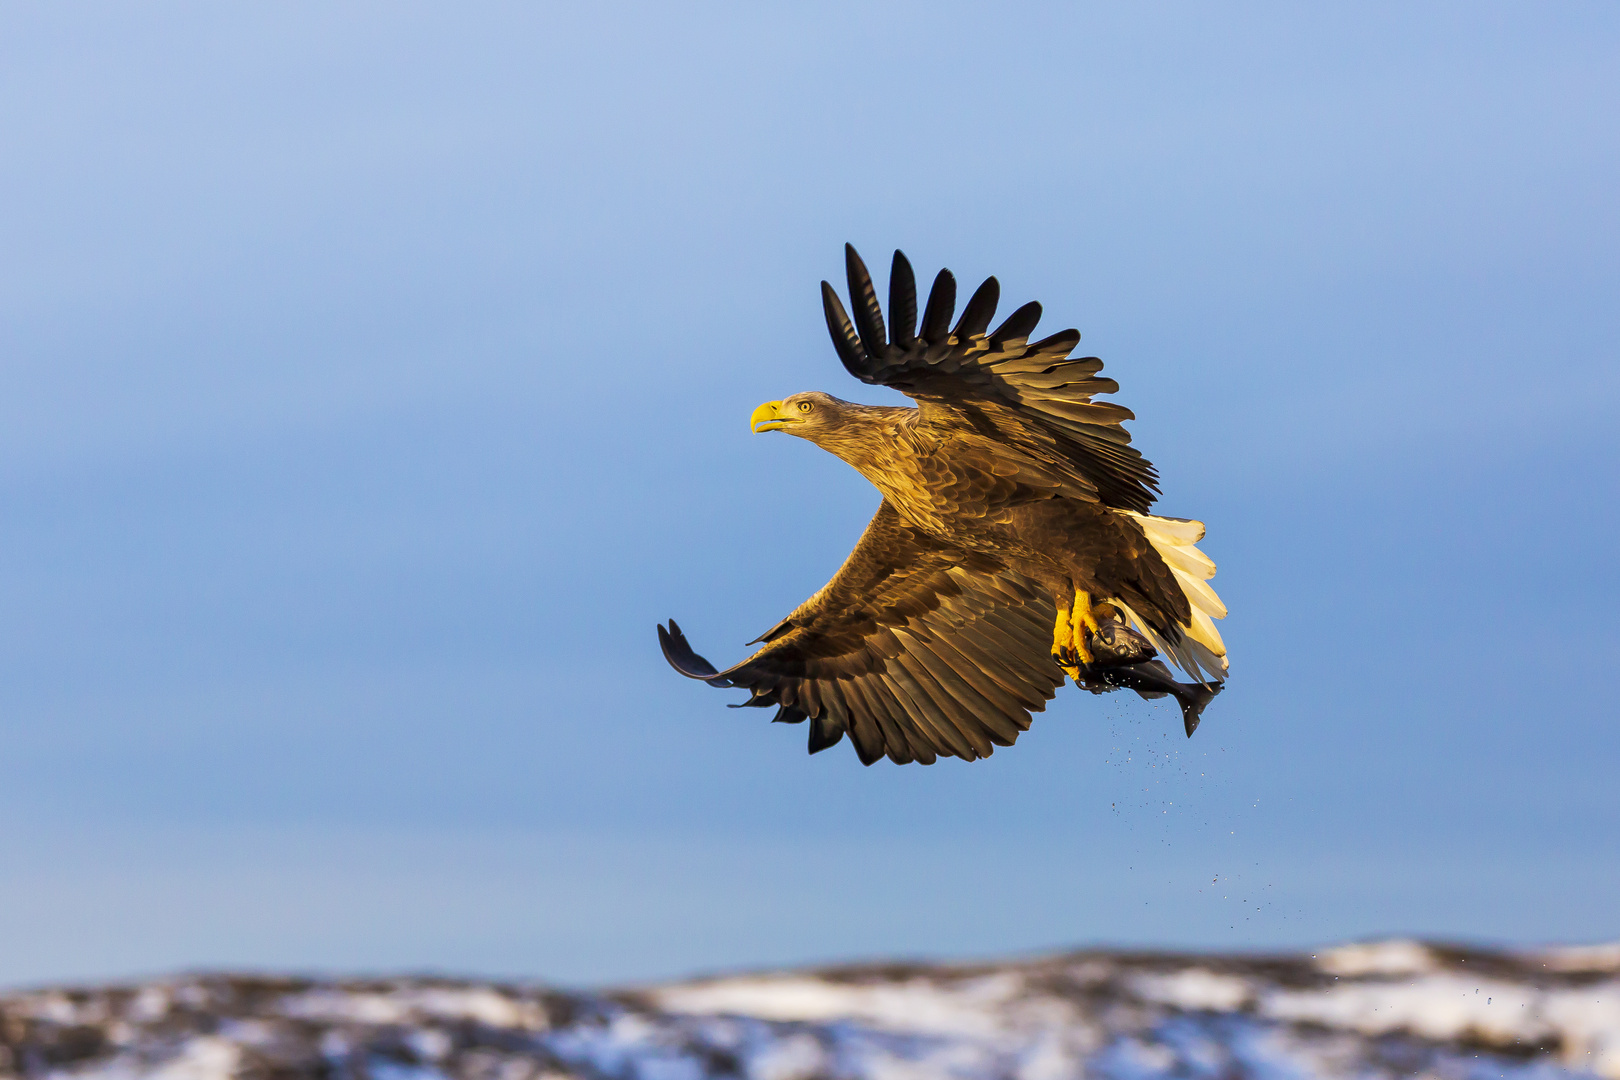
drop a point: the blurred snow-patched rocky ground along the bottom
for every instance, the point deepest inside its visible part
(1386, 1010)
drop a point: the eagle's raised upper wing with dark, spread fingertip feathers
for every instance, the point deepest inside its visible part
(1034, 396)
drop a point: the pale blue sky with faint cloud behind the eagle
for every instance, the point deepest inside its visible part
(378, 375)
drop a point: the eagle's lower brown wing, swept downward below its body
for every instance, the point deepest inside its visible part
(914, 648)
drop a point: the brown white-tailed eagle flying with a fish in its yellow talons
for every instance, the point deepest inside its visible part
(1013, 546)
